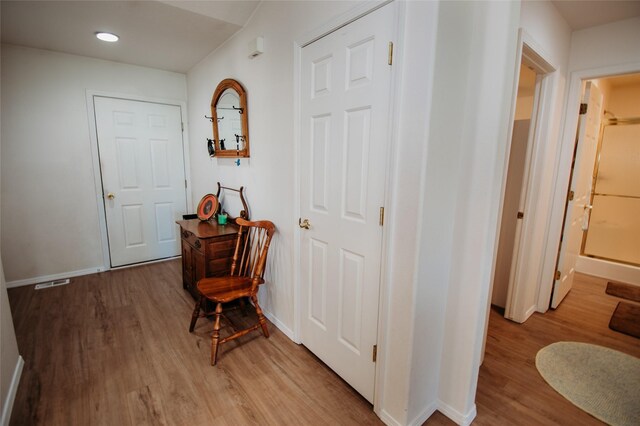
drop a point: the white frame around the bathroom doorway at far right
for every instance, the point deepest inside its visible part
(562, 171)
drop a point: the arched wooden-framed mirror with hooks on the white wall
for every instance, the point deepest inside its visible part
(230, 120)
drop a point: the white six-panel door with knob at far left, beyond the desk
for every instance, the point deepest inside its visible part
(143, 179)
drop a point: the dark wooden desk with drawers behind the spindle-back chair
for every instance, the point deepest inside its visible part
(207, 250)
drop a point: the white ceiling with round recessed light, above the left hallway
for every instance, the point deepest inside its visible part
(169, 35)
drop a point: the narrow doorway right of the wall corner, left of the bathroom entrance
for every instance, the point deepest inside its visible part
(512, 274)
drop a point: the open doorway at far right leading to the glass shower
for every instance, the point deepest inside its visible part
(604, 187)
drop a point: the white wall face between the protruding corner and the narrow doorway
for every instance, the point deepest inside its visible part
(484, 34)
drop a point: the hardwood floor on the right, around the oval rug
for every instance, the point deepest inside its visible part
(510, 389)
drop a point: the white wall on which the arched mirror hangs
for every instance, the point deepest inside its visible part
(268, 176)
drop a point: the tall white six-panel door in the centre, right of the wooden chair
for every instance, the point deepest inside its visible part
(345, 85)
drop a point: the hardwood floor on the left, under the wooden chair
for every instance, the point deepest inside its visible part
(114, 349)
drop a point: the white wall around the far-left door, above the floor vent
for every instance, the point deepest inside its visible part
(49, 211)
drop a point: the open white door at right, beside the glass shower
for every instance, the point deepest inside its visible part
(577, 210)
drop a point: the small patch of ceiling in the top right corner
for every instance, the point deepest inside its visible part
(581, 14)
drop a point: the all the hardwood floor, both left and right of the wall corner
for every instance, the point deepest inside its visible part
(113, 349)
